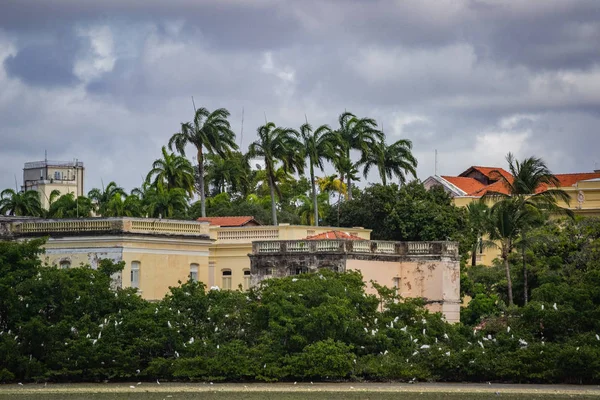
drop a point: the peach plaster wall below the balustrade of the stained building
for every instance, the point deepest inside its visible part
(437, 281)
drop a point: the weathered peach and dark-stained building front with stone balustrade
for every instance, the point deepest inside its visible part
(428, 270)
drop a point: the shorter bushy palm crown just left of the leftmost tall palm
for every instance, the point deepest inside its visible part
(172, 172)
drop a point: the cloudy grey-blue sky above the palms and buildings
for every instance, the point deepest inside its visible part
(108, 82)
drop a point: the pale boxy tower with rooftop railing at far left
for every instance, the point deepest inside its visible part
(46, 176)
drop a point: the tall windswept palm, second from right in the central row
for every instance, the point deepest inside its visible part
(355, 134)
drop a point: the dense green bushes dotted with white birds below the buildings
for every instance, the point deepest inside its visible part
(68, 325)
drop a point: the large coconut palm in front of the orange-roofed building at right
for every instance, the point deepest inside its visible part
(531, 190)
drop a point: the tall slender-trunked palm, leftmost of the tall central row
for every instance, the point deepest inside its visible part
(210, 131)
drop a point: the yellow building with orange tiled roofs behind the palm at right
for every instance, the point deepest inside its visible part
(582, 188)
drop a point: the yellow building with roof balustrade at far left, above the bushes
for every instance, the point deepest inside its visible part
(157, 253)
